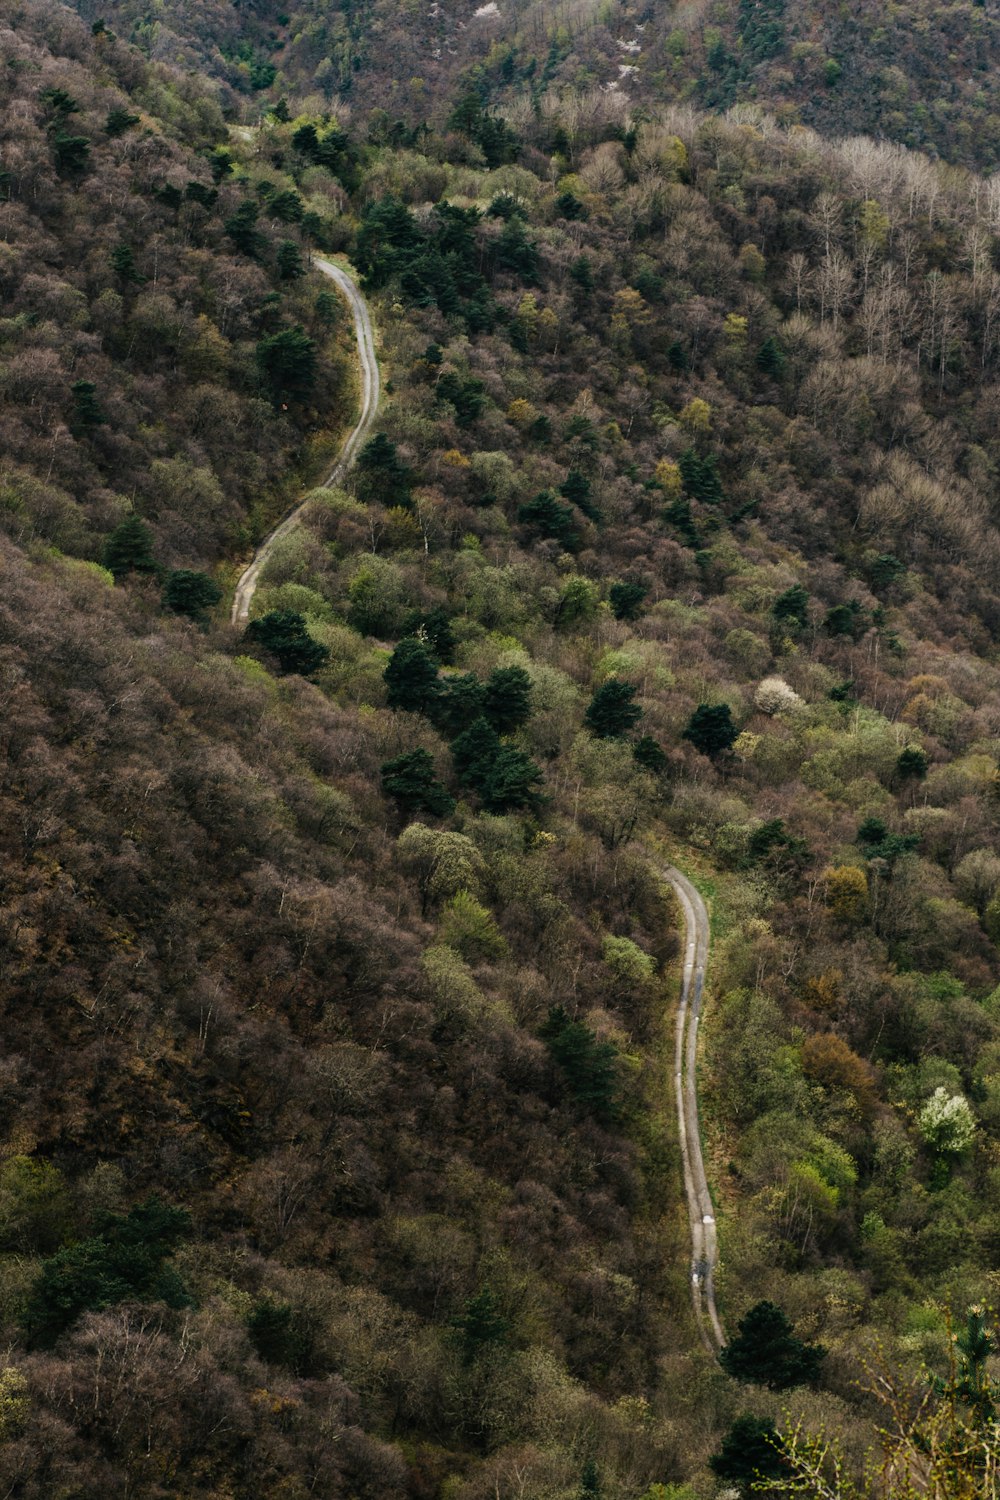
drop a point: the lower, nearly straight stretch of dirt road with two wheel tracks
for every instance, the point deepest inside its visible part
(701, 1207)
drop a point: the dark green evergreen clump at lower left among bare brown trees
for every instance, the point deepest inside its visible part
(125, 1259)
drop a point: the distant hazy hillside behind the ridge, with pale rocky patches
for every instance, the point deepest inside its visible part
(923, 76)
